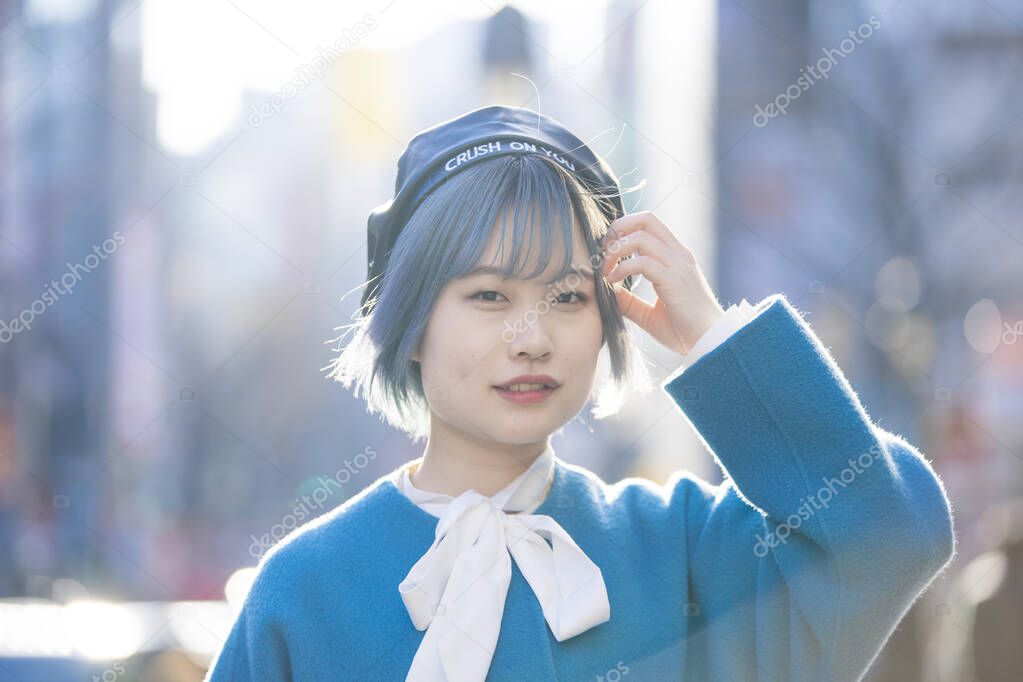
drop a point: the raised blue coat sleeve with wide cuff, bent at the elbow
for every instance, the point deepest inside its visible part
(827, 527)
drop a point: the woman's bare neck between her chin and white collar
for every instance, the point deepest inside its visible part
(453, 466)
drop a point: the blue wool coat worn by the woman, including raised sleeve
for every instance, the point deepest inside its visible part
(797, 567)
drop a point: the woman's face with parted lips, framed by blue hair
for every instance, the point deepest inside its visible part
(485, 332)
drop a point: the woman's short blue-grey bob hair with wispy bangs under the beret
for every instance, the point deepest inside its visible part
(443, 241)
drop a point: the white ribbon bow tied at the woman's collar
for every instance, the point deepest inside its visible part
(457, 590)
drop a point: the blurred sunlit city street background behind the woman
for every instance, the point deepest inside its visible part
(184, 196)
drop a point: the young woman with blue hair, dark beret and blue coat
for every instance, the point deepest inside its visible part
(499, 274)
